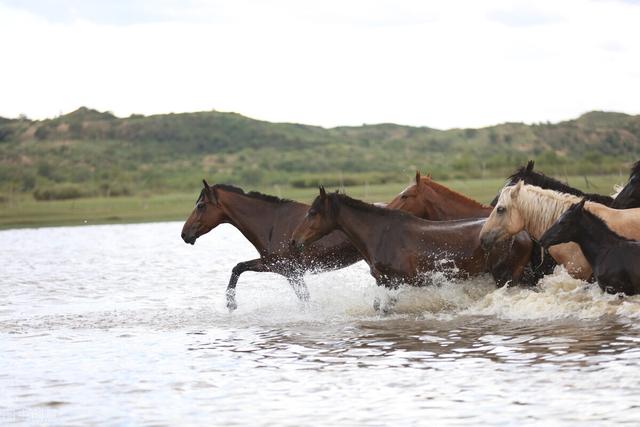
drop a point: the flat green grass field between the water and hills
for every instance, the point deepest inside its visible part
(24, 211)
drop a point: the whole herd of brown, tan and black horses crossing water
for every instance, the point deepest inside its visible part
(534, 223)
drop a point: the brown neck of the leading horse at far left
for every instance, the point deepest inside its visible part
(252, 217)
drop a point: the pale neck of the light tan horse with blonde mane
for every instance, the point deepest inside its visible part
(539, 215)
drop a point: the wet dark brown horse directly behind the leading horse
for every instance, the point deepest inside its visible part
(400, 247)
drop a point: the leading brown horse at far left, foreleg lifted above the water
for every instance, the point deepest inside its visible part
(267, 222)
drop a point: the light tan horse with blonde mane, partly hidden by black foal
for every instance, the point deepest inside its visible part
(526, 207)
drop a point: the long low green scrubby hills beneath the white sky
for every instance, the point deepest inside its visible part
(92, 152)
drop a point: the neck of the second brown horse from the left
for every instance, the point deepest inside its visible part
(361, 228)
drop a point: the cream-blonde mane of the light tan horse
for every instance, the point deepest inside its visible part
(539, 207)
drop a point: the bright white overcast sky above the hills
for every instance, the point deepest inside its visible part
(441, 64)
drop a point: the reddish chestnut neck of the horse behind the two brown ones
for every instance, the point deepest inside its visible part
(453, 205)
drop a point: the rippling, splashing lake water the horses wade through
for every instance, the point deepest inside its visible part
(126, 324)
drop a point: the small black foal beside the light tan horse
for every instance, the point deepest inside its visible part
(614, 259)
